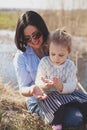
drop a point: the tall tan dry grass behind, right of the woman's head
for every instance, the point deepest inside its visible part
(75, 21)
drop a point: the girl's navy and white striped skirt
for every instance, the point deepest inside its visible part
(50, 105)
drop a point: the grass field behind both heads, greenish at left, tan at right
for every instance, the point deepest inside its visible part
(74, 21)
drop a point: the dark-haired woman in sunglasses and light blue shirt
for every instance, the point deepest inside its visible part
(30, 38)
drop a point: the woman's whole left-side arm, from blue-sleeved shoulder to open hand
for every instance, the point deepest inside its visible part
(26, 85)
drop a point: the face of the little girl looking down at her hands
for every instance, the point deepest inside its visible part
(58, 53)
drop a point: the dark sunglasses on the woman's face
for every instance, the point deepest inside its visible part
(35, 36)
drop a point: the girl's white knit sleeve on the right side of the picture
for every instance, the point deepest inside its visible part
(70, 85)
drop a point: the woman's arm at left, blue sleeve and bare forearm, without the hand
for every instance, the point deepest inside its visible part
(23, 76)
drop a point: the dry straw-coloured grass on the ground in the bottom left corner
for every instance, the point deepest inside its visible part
(14, 114)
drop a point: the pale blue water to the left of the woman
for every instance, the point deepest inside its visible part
(7, 52)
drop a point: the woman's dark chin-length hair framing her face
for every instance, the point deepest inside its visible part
(29, 18)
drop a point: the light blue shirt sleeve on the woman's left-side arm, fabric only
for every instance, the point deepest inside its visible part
(23, 76)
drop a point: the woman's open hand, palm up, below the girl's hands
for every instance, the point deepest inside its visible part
(39, 93)
